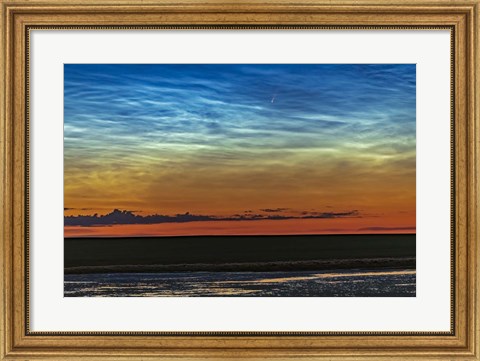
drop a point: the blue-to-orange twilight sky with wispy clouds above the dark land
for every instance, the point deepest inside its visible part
(218, 149)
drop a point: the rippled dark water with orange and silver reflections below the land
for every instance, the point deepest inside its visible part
(344, 283)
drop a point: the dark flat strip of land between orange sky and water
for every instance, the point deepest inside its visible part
(239, 253)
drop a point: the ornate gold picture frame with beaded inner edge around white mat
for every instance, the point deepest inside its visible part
(18, 17)
